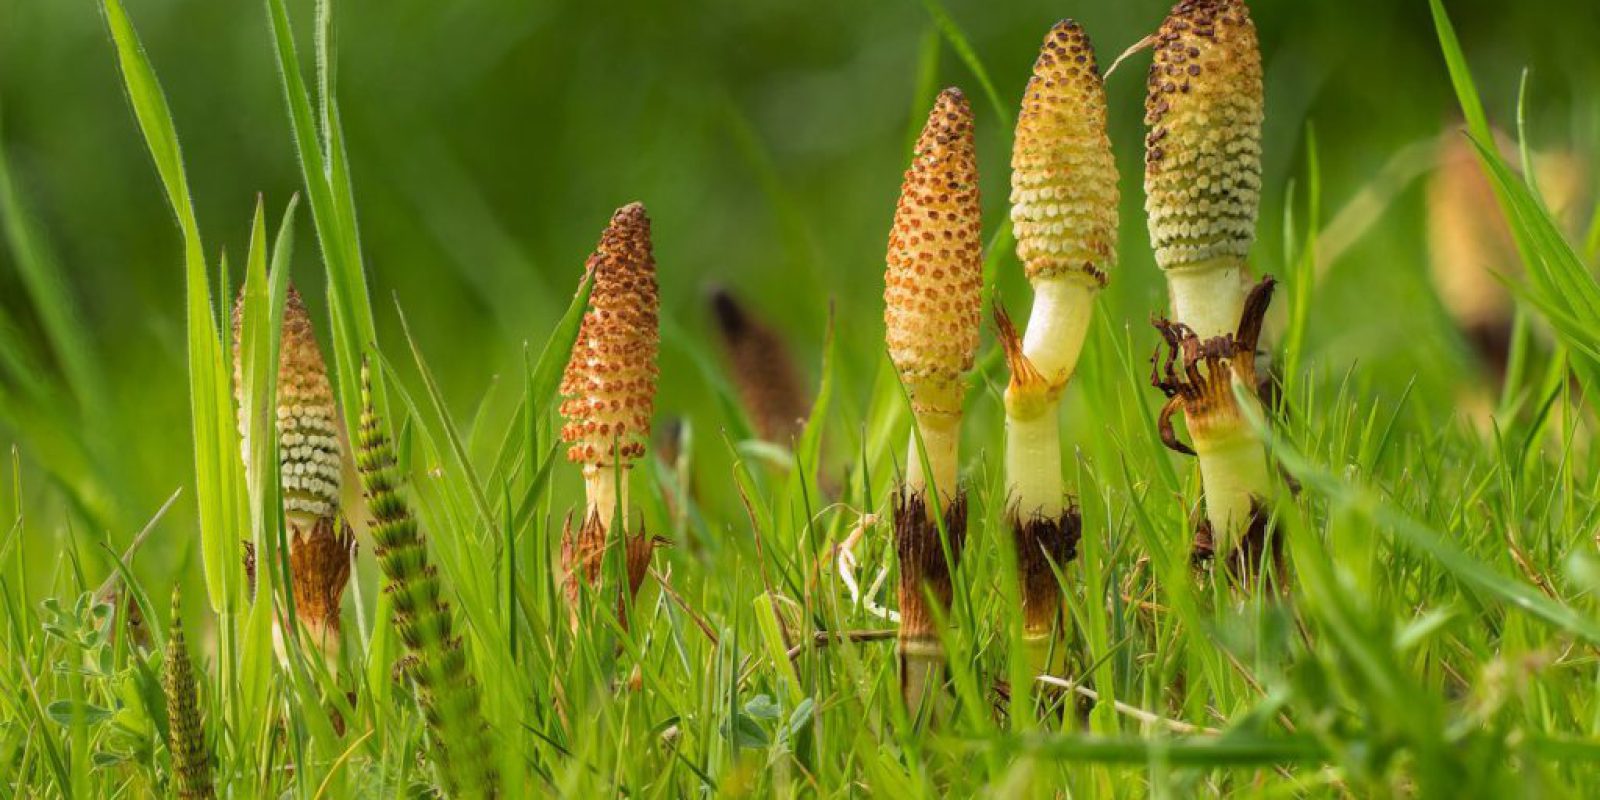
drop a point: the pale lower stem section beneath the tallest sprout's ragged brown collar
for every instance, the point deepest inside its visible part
(1234, 473)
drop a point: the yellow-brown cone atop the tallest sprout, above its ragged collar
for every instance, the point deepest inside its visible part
(1202, 177)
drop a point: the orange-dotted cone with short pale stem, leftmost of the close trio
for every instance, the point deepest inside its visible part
(934, 286)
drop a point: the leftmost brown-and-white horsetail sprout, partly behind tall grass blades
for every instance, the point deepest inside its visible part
(310, 473)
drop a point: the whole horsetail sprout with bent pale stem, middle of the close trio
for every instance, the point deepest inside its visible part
(1065, 214)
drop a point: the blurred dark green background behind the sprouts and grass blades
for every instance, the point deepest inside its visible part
(494, 138)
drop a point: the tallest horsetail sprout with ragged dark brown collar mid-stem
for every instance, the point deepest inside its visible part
(1202, 188)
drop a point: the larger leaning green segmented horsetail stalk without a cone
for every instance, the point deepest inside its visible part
(436, 663)
